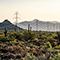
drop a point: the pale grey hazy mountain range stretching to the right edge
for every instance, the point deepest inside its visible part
(44, 26)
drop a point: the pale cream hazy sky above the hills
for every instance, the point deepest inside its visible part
(45, 10)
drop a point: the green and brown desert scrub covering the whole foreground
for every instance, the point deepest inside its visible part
(29, 45)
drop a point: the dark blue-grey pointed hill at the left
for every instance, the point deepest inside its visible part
(8, 25)
